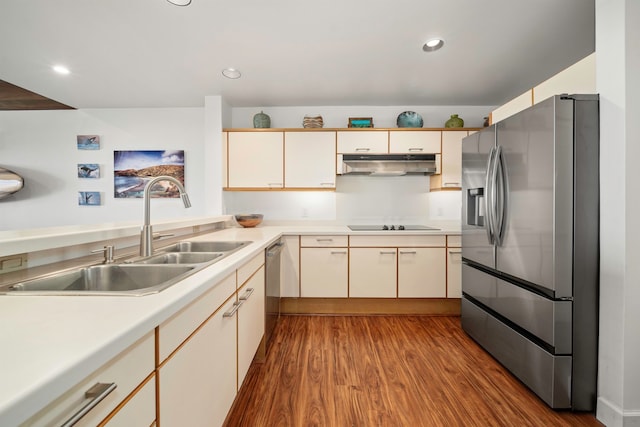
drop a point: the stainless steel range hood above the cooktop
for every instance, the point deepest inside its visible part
(387, 164)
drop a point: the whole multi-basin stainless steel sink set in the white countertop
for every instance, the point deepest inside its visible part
(137, 277)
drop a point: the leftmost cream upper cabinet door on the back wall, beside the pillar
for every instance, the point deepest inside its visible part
(255, 159)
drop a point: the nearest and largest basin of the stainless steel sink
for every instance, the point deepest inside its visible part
(121, 279)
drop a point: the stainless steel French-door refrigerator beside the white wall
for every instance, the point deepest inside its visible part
(530, 246)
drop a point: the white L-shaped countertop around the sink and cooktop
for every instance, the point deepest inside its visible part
(50, 343)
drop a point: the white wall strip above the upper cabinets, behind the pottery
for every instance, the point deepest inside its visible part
(383, 117)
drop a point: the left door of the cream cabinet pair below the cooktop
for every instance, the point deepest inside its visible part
(372, 272)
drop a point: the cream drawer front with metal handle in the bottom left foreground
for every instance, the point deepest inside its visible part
(127, 371)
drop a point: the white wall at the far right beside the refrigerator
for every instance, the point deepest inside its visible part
(618, 82)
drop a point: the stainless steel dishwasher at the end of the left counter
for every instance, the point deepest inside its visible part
(272, 289)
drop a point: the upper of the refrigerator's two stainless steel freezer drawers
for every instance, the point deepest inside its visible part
(547, 319)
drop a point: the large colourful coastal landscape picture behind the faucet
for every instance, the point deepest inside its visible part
(133, 169)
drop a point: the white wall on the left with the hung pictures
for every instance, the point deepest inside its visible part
(41, 147)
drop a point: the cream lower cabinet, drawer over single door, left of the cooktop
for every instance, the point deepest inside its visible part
(324, 266)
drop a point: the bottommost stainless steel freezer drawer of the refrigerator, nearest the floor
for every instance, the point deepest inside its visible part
(546, 375)
